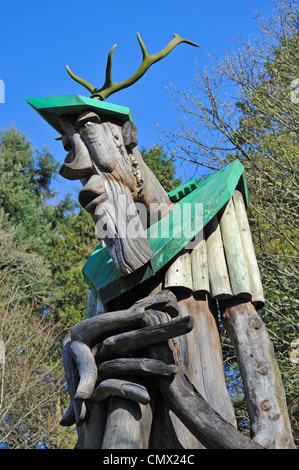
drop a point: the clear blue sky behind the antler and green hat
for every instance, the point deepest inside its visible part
(39, 38)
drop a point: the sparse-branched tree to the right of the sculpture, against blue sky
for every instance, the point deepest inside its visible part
(243, 107)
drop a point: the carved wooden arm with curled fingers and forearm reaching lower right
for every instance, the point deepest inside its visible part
(96, 382)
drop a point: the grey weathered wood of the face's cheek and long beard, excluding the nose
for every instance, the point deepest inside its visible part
(115, 215)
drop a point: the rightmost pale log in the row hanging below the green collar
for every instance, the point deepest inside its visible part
(258, 299)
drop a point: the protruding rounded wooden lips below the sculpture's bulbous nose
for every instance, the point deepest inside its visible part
(93, 193)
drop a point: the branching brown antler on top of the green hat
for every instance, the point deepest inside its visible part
(109, 87)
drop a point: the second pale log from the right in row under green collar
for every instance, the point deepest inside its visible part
(237, 266)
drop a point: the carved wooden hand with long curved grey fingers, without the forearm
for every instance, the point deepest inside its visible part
(95, 353)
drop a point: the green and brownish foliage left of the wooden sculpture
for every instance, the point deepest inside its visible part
(42, 251)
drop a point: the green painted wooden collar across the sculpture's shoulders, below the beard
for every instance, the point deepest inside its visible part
(171, 234)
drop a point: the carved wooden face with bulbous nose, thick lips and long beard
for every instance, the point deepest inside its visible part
(104, 156)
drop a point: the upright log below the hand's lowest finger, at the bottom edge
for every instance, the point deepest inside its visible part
(128, 425)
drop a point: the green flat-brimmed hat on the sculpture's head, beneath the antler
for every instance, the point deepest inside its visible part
(51, 108)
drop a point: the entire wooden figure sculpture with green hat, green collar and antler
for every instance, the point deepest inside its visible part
(144, 368)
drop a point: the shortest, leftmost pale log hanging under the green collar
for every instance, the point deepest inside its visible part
(179, 274)
